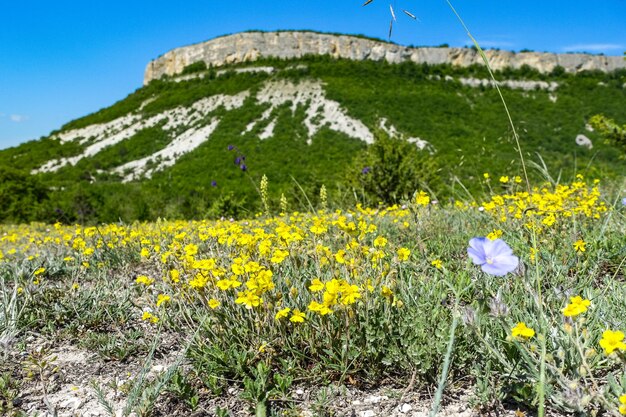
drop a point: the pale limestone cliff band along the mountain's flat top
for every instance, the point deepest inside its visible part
(249, 46)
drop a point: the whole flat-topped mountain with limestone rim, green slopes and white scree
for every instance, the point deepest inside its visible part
(303, 109)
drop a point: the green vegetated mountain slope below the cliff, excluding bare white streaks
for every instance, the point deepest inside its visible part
(465, 126)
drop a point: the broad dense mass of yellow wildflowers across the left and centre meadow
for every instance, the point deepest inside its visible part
(251, 264)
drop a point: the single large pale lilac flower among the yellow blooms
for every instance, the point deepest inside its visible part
(495, 257)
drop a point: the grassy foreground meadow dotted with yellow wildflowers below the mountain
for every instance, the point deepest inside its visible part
(366, 297)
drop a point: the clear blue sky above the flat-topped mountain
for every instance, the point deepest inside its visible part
(60, 60)
